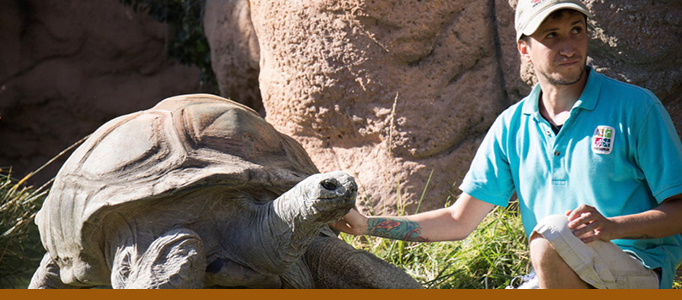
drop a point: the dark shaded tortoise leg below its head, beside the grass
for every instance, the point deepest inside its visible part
(336, 265)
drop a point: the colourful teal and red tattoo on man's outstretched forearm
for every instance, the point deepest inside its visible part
(395, 228)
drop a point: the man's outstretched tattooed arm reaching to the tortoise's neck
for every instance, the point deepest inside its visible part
(446, 224)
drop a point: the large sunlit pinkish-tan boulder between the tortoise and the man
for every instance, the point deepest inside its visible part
(388, 90)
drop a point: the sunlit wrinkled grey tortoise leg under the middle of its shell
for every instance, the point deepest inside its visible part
(176, 259)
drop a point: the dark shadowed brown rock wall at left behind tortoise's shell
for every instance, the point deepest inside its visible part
(67, 66)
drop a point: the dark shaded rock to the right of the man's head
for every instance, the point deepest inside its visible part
(639, 42)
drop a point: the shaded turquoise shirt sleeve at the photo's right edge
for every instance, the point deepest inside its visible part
(659, 152)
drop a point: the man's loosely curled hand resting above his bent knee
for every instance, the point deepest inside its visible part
(589, 225)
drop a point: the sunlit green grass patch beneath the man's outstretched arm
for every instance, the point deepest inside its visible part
(489, 258)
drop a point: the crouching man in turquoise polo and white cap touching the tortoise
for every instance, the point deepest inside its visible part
(596, 165)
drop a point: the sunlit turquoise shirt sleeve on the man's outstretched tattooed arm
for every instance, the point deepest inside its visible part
(489, 177)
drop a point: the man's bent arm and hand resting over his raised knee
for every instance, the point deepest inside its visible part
(665, 220)
